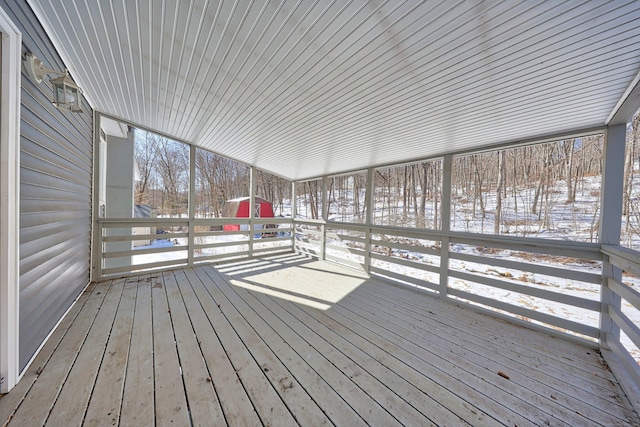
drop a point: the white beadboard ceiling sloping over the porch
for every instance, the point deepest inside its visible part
(305, 88)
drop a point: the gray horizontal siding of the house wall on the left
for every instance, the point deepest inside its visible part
(55, 195)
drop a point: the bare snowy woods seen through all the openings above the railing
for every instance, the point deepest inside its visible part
(549, 189)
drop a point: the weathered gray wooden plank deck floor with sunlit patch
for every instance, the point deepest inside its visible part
(286, 341)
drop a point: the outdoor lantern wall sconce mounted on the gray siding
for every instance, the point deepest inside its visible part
(66, 94)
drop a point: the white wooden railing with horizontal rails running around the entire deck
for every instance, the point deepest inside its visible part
(556, 286)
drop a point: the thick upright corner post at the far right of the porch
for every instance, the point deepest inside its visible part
(610, 224)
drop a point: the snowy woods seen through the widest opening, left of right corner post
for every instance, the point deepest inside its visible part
(529, 190)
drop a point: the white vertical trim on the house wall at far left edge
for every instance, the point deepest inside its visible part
(10, 202)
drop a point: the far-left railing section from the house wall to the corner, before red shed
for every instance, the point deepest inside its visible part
(133, 245)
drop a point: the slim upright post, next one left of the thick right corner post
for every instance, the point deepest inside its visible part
(445, 225)
